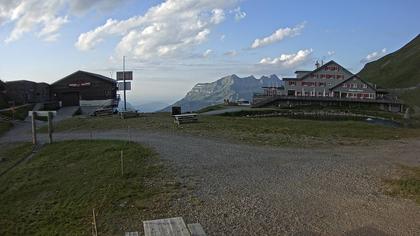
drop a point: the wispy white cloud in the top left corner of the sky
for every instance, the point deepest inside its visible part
(44, 17)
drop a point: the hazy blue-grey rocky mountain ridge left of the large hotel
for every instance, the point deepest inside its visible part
(229, 87)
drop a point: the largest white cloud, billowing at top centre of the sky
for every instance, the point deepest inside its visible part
(170, 29)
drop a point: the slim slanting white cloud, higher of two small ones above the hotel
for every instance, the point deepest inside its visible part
(278, 35)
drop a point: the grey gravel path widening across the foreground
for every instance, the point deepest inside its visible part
(248, 190)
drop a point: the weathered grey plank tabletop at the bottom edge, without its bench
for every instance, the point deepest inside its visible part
(166, 227)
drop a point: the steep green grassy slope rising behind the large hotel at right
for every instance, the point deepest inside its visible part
(399, 69)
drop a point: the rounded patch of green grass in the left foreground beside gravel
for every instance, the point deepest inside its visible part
(55, 192)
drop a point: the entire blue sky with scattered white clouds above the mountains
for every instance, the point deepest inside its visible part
(173, 45)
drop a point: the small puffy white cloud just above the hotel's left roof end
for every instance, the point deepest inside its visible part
(288, 60)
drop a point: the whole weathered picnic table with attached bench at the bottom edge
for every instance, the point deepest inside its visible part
(171, 227)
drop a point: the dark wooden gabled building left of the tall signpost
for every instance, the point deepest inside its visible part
(84, 89)
